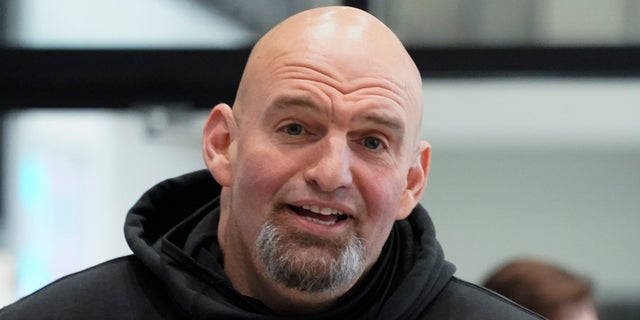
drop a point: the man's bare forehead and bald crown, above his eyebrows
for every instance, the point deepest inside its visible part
(335, 62)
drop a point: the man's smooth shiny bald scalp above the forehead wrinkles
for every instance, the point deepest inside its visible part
(352, 39)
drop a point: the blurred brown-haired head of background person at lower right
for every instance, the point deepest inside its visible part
(545, 288)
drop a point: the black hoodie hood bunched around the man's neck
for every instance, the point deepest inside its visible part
(172, 229)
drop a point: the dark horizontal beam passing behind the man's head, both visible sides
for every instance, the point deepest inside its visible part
(202, 78)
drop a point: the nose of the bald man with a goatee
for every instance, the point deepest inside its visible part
(331, 169)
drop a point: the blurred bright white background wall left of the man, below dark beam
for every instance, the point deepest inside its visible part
(70, 177)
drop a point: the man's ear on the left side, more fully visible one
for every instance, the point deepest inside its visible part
(218, 134)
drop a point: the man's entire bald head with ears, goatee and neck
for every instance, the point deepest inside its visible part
(318, 158)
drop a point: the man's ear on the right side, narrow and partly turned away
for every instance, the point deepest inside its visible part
(416, 181)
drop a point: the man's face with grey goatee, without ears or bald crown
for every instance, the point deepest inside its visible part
(320, 168)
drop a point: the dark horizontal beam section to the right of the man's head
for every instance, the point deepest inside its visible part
(528, 61)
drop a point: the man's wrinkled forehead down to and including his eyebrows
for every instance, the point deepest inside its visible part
(341, 88)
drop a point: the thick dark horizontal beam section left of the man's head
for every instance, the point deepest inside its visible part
(118, 78)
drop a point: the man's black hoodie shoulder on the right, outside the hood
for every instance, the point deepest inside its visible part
(466, 300)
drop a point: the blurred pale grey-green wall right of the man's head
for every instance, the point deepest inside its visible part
(537, 167)
